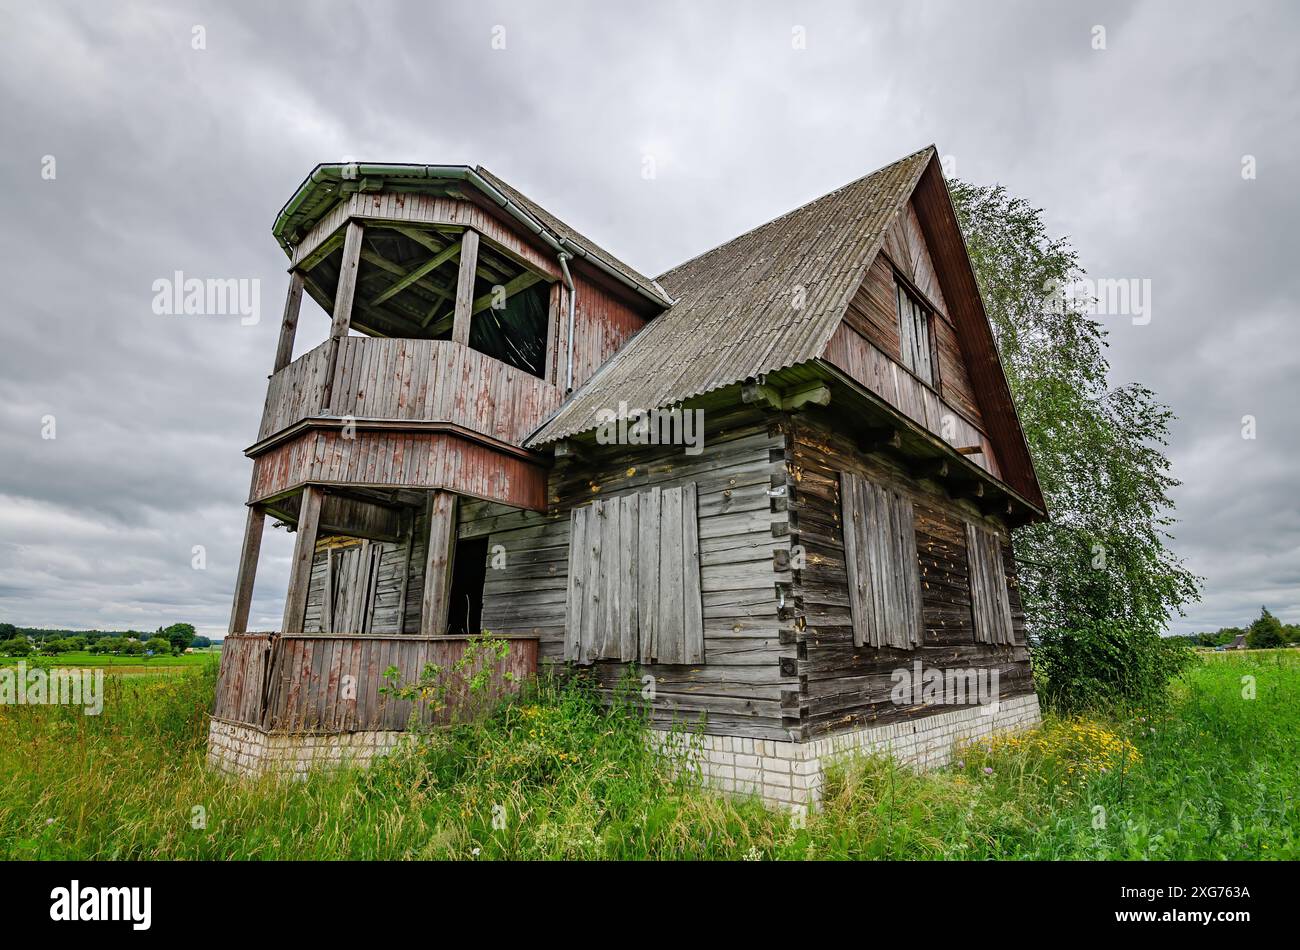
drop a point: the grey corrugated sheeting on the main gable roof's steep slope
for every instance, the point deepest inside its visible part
(736, 314)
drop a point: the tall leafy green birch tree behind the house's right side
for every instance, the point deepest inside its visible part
(1100, 569)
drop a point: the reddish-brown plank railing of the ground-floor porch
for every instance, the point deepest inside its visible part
(292, 683)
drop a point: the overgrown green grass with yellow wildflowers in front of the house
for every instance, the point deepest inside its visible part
(1215, 777)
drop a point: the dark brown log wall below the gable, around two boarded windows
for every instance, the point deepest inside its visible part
(843, 687)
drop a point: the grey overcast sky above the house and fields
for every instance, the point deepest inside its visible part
(168, 158)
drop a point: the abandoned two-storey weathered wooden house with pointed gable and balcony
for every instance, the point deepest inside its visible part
(779, 480)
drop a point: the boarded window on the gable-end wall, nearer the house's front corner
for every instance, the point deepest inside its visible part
(881, 557)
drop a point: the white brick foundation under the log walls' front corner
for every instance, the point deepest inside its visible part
(790, 774)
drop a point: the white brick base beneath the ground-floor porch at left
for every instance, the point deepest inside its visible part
(246, 751)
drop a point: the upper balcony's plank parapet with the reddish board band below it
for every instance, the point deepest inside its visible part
(418, 414)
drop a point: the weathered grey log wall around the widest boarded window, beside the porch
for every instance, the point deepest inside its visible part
(744, 557)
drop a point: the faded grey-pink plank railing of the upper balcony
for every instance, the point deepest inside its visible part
(410, 380)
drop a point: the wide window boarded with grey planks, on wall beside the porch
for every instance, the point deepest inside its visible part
(634, 587)
